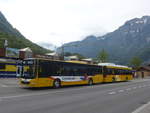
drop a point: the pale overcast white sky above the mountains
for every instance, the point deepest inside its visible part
(61, 21)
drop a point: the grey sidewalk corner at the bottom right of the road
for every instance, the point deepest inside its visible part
(144, 109)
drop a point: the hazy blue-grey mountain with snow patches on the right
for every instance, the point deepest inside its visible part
(127, 41)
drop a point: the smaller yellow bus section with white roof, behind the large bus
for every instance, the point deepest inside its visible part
(116, 73)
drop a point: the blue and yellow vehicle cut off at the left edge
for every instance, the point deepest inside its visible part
(8, 67)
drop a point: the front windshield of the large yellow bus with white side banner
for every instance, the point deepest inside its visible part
(29, 69)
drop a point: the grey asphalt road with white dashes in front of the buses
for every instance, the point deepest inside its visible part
(124, 97)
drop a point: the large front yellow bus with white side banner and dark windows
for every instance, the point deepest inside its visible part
(36, 72)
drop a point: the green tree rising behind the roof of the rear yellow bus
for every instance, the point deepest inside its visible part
(102, 56)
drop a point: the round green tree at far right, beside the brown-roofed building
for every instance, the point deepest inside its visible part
(136, 62)
